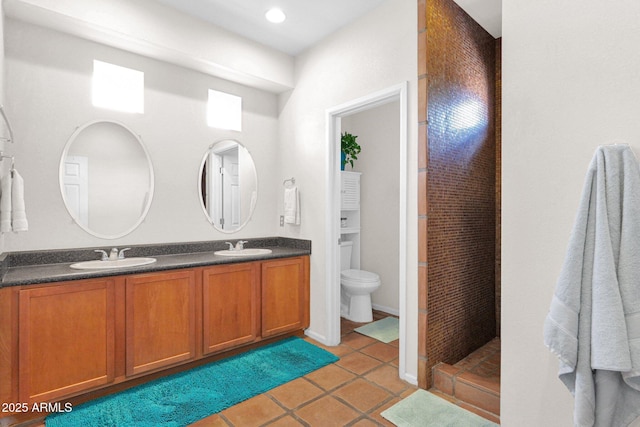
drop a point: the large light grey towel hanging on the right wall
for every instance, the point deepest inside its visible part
(593, 325)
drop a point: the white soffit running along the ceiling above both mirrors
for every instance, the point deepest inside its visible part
(149, 28)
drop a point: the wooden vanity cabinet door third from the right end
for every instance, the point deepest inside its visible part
(160, 320)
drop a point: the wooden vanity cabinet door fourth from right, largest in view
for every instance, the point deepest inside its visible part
(66, 339)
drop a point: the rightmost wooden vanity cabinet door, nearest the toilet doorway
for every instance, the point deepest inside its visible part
(285, 296)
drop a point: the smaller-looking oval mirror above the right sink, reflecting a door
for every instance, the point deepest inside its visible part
(228, 185)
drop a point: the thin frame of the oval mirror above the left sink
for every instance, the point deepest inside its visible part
(65, 152)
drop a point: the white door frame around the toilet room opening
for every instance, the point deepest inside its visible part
(334, 116)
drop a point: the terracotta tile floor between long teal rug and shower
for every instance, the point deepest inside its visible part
(351, 392)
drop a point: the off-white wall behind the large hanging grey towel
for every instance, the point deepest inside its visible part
(570, 83)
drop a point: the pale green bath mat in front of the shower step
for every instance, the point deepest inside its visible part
(423, 409)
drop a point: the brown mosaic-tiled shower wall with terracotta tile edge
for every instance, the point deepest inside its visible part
(457, 90)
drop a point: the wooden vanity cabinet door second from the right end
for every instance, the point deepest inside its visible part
(230, 306)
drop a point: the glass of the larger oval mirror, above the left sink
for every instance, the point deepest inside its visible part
(106, 179)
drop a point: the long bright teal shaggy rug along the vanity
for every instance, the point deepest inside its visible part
(186, 397)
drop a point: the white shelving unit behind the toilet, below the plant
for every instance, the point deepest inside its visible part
(350, 209)
